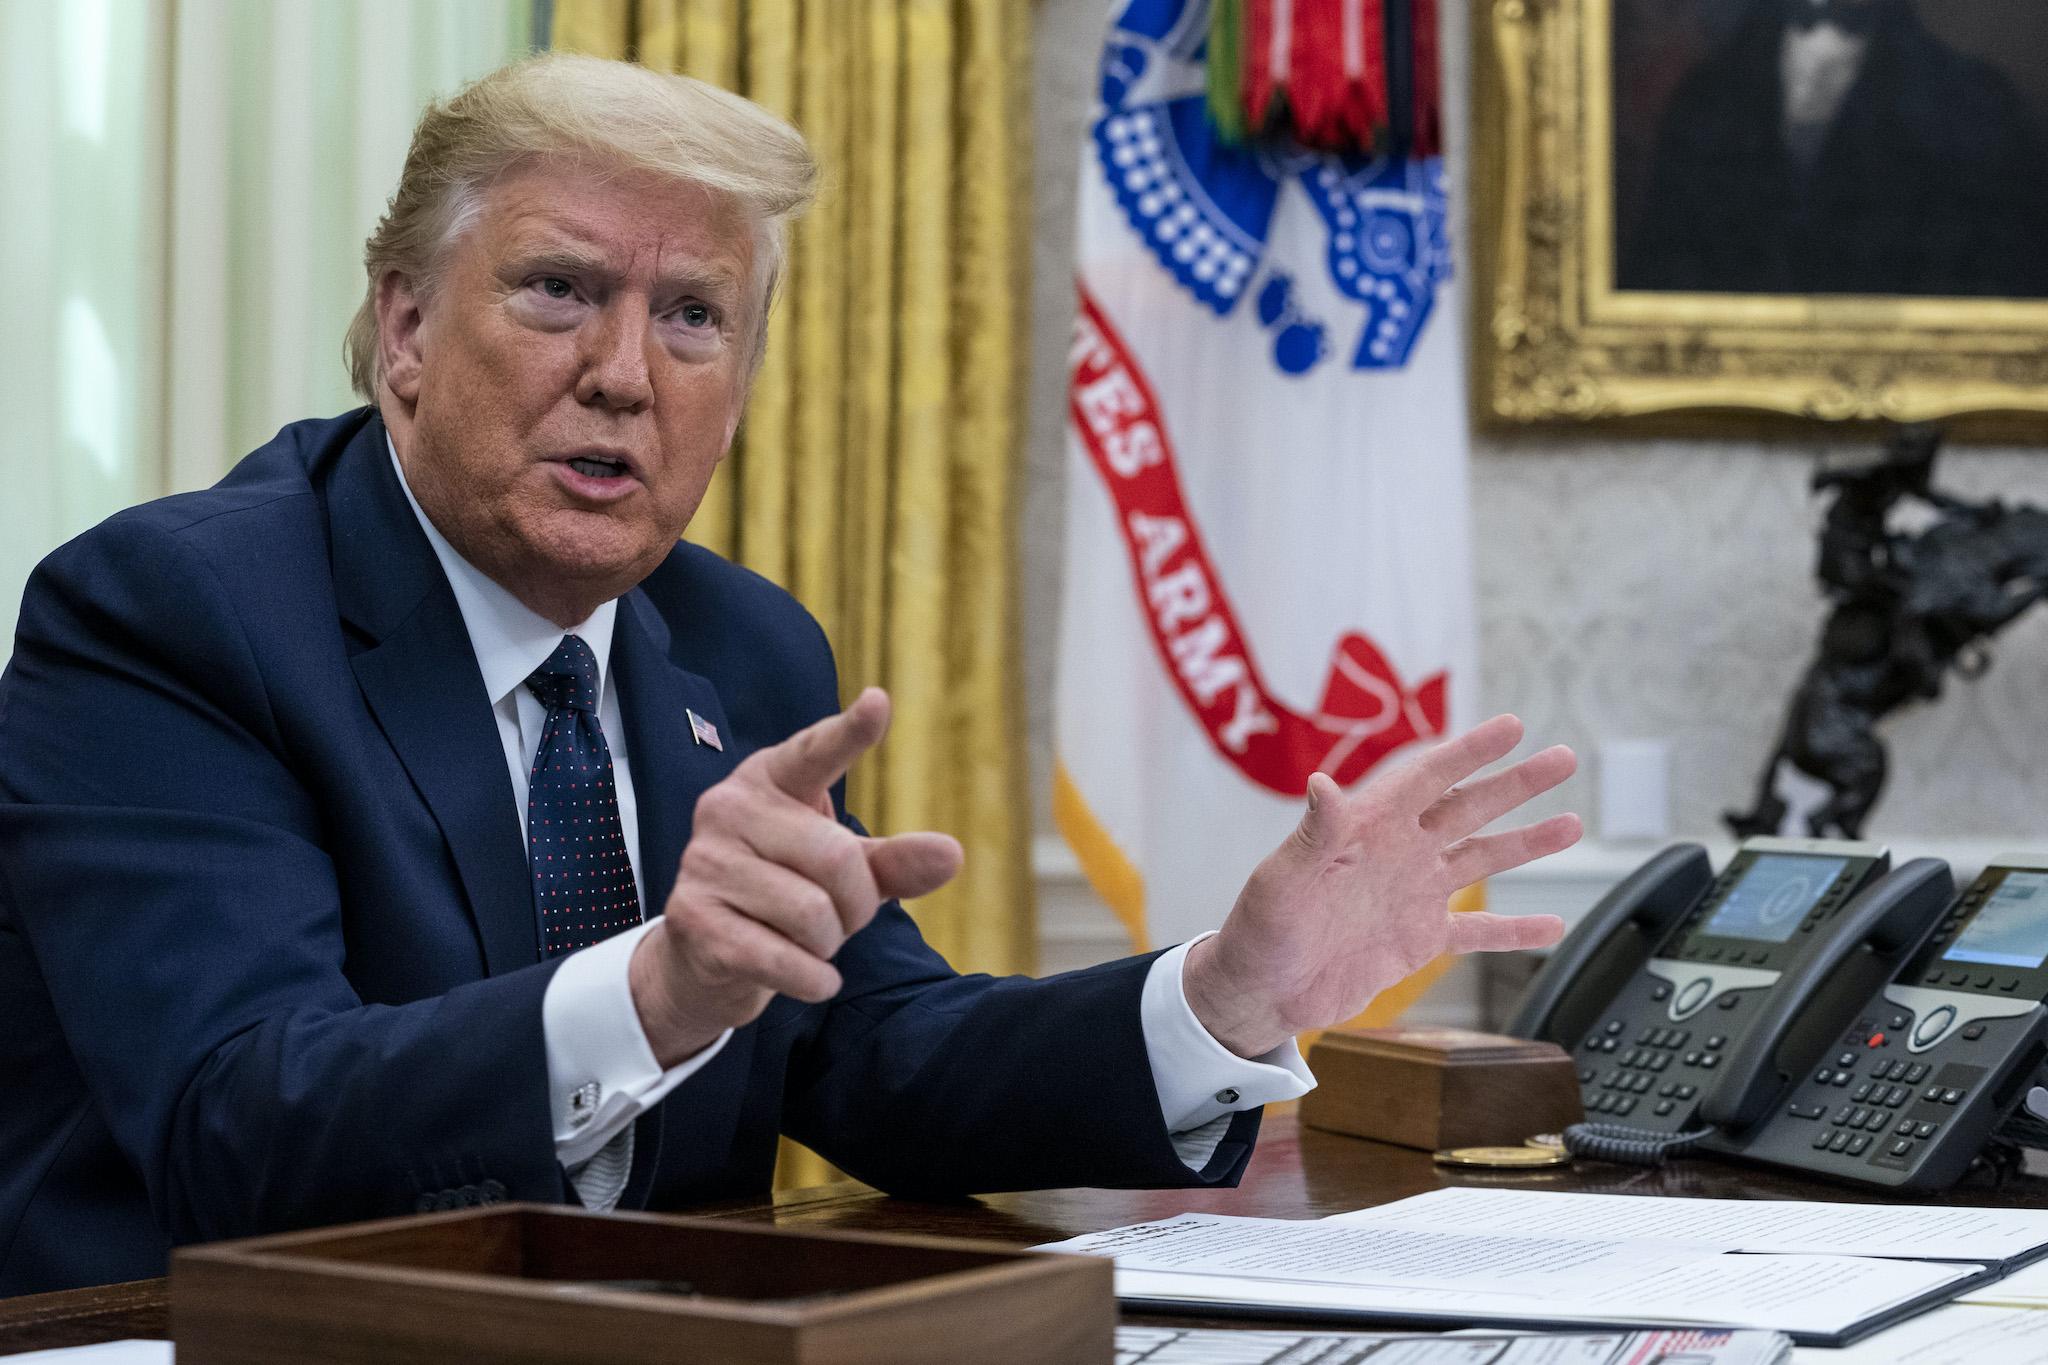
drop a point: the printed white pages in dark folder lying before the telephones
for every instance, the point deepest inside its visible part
(1826, 1274)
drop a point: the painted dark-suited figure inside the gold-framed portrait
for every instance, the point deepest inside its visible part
(1840, 148)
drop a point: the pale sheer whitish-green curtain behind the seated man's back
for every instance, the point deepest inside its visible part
(189, 187)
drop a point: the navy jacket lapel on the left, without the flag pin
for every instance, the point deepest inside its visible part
(423, 685)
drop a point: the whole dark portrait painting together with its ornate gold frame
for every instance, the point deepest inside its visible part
(1709, 214)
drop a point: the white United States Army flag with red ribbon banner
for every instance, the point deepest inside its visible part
(1267, 562)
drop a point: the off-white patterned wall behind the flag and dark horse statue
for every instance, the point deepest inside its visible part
(1627, 590)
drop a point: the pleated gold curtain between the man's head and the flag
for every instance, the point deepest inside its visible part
(876, 470)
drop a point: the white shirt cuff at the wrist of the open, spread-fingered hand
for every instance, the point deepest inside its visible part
(1199, 1080)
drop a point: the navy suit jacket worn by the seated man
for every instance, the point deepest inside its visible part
(269, 951)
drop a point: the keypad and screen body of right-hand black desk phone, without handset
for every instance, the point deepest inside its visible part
(1910, 1084)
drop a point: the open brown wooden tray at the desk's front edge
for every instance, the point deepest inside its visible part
(544, 1286)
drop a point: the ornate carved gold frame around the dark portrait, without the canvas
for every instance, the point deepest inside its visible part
(1558, 345)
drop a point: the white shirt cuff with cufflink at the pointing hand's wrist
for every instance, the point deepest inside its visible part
(601, 1069)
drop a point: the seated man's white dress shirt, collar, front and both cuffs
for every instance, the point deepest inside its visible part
(601, 1067)
